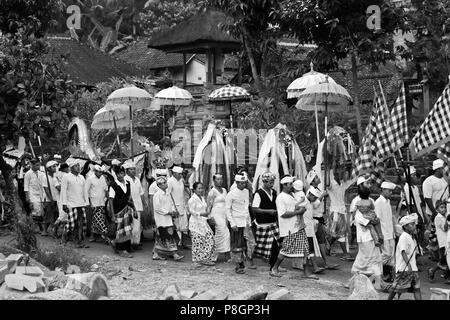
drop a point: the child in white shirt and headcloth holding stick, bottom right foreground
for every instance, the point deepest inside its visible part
(406, 272)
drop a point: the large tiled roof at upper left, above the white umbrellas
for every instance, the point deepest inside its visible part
(86, 65)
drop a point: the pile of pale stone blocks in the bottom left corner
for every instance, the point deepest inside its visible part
(20, 281)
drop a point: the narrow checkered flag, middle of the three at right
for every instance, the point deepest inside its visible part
(397, 130)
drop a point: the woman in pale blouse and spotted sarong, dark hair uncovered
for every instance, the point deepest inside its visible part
(201, 233)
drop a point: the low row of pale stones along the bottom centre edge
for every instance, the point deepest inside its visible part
(172, 292)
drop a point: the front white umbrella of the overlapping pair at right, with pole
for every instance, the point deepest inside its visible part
(320, 97)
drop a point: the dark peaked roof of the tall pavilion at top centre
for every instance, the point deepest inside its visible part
(201, 28)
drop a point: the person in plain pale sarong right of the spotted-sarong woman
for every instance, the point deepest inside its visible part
(216, 206)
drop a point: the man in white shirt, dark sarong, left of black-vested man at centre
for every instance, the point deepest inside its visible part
(237, 209)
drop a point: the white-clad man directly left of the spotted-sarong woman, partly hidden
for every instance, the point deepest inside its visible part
(176, 190)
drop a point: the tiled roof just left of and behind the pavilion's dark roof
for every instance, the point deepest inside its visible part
(147, 58)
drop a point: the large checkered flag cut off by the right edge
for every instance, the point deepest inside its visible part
(435, 130)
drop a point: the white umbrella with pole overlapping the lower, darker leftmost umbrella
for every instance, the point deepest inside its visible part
(135, 98)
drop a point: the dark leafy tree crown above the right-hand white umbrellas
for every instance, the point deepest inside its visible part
(338, 28)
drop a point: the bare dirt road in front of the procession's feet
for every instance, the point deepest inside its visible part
(143, 278)
